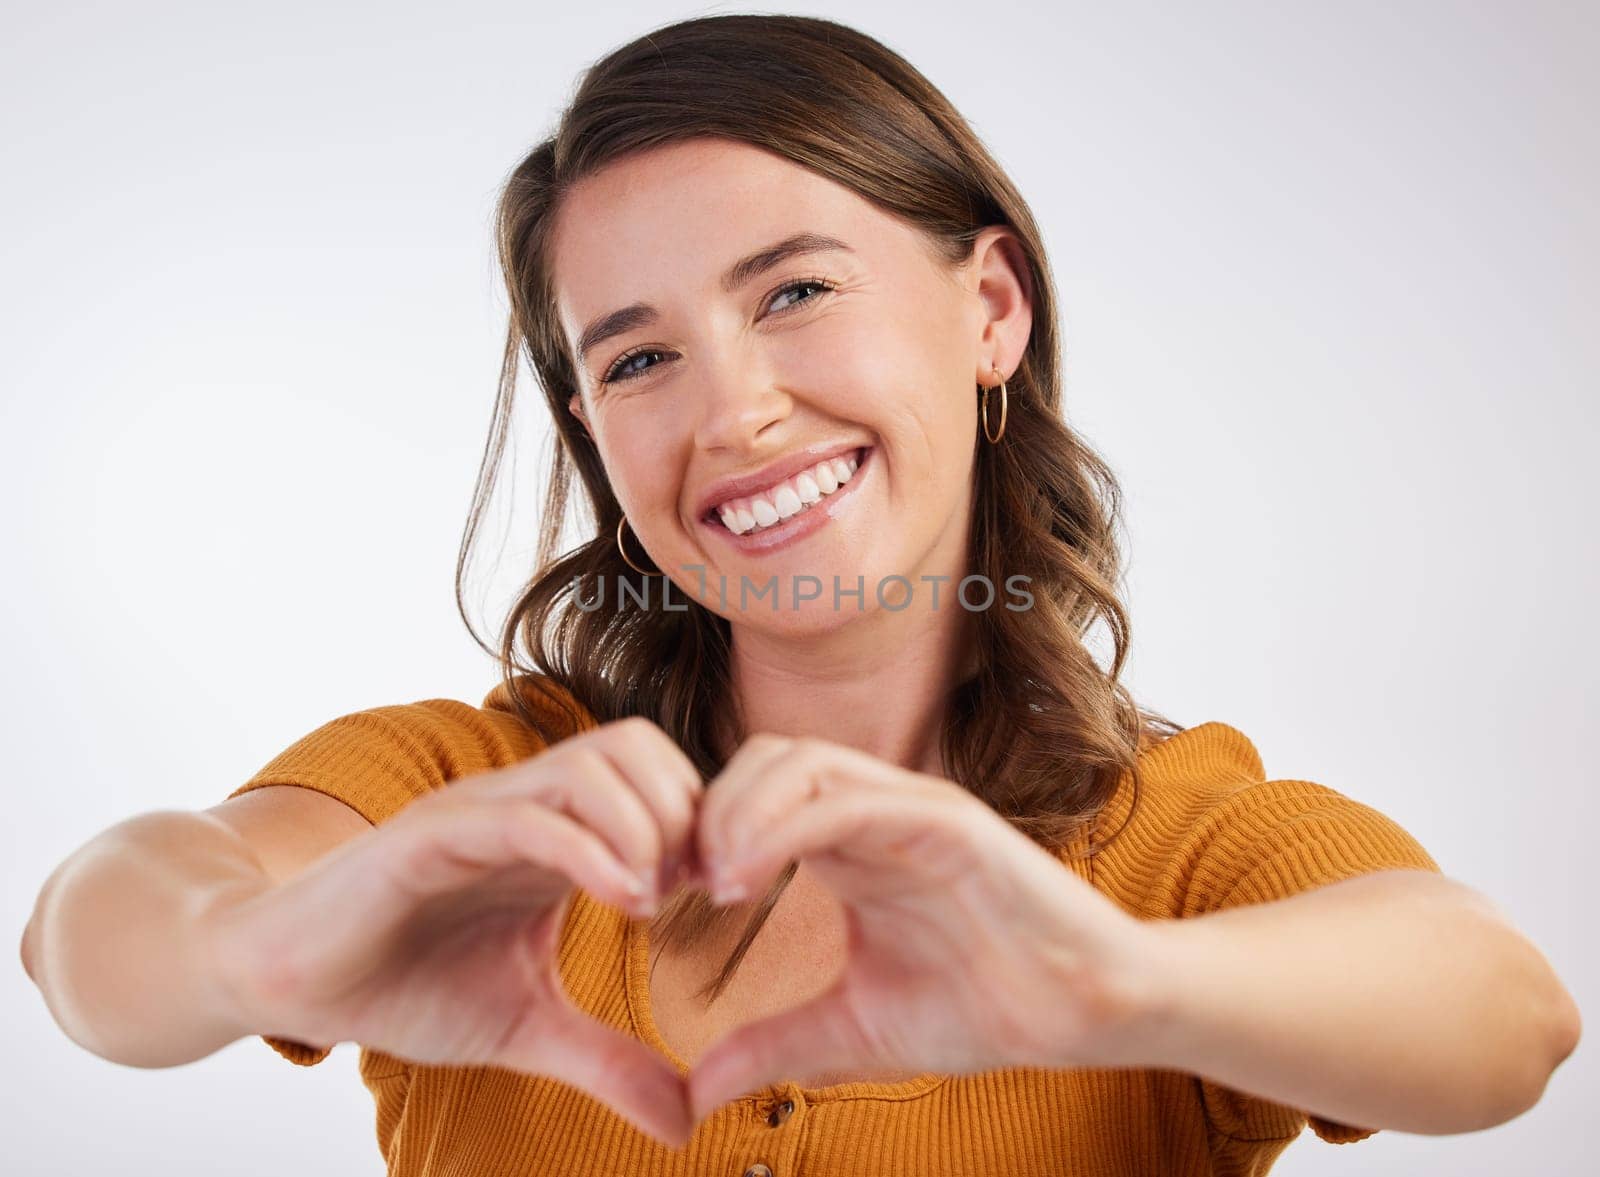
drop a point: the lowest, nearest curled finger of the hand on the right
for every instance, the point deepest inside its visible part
(887, 831)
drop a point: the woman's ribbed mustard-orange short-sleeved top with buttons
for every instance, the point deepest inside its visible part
(1210, 832)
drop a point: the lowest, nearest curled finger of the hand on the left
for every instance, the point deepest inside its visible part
(449, 847)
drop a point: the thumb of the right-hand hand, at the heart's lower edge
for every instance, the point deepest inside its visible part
(815, 1037)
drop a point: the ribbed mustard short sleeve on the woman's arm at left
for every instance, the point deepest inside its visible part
(383, 759)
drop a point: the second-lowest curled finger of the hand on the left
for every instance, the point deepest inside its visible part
(585, 784)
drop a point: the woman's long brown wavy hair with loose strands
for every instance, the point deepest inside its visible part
(1041, 733)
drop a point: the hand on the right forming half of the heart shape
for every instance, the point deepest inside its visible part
(970, 948)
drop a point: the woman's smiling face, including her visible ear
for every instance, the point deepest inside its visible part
(870, 351)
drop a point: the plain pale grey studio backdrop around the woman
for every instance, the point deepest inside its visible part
(1329, 292)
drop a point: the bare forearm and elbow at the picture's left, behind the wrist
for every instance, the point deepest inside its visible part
(118, 941)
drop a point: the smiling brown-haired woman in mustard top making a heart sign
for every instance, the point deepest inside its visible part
(972, 909)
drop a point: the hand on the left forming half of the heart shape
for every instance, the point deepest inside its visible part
(434, 936)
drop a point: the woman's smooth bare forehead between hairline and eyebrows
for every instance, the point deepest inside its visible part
(673, 218)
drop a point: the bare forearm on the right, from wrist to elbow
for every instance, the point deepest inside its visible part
(1380, 1002)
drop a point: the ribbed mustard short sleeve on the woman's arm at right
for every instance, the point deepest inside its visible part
(1273, 840)
